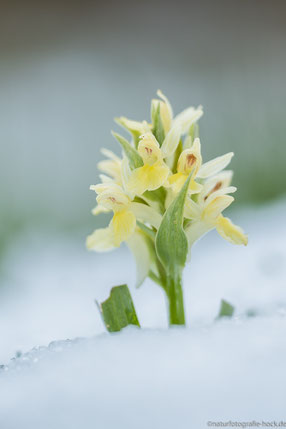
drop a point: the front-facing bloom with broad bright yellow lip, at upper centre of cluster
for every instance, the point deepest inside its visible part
(154, 173)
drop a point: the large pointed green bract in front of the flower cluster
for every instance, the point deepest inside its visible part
(171, 240)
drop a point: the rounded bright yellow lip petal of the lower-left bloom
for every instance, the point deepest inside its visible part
(123, 224)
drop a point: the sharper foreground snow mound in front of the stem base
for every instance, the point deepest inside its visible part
(232, 370)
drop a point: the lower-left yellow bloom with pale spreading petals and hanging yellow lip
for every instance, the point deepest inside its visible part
(111, 197)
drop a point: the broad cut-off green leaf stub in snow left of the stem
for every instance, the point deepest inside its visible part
(118, 310)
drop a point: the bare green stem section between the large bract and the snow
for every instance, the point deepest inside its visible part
(176, 301)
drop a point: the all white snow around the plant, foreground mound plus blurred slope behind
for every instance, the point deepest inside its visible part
(212, 371)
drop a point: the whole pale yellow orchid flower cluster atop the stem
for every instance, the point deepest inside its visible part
(140, 186)
